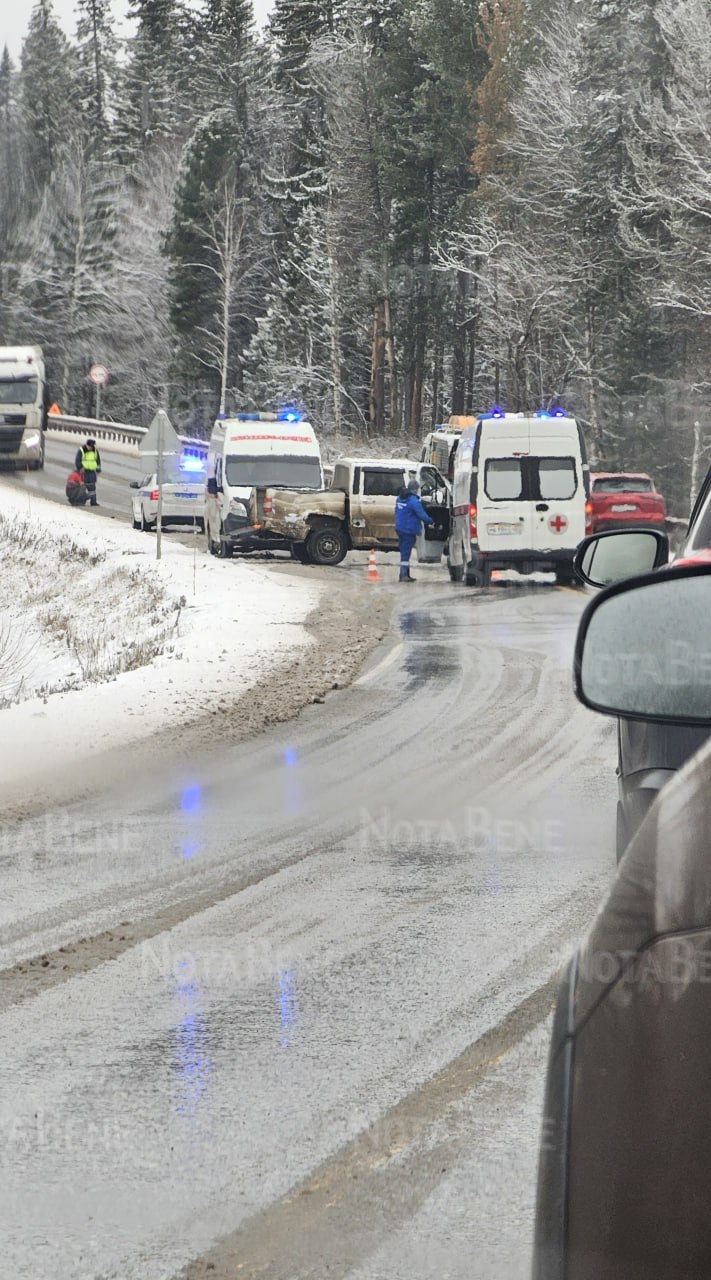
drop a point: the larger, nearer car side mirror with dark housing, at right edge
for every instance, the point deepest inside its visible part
(644, 648)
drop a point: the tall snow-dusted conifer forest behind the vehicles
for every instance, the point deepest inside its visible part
(386, 212)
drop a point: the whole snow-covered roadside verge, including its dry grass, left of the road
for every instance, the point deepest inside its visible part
(102, 646)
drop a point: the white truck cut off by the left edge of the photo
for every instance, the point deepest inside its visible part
(24, 406)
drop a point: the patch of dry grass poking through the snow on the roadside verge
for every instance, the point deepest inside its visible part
(74, 611)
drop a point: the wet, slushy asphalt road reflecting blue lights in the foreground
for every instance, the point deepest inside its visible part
(312, 1017)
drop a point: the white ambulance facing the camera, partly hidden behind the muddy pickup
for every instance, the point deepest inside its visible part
(250, 451)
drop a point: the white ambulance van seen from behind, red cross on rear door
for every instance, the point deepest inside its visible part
(519, 496)
